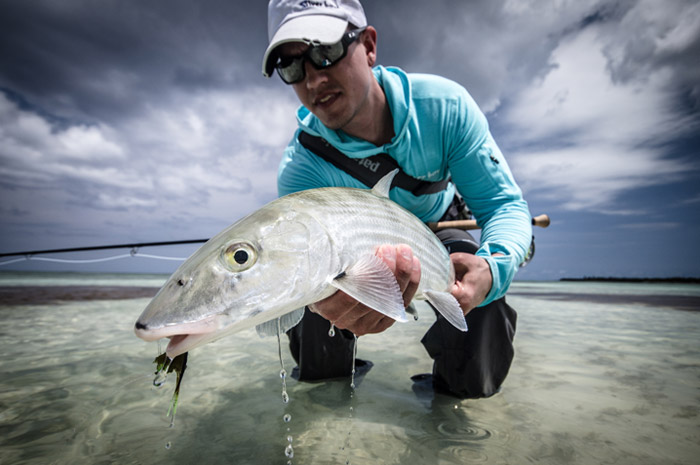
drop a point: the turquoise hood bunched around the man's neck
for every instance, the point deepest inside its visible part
(397, 89)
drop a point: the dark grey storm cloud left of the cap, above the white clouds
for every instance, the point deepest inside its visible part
(104, 59)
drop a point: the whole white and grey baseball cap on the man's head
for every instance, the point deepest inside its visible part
(311, 21)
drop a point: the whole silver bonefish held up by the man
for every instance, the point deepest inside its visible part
(294, 251)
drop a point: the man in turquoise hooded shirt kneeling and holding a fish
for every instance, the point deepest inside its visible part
(433, 129)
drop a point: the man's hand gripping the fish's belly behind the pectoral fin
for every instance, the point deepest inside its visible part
(347, 313)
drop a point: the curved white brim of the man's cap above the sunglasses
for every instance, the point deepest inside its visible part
(320, 29)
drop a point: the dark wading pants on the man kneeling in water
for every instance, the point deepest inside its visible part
(466, 365)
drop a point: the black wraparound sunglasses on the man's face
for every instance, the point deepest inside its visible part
(291, 69)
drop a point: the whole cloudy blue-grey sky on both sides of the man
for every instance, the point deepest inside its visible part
(138, 121)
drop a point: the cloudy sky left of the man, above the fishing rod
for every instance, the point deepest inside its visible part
(152, 116)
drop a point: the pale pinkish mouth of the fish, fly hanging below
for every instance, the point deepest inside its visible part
(183, 336)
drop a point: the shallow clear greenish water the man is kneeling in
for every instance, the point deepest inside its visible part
(594, 381)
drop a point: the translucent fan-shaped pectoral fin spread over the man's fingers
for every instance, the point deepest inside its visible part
(372, 283)
